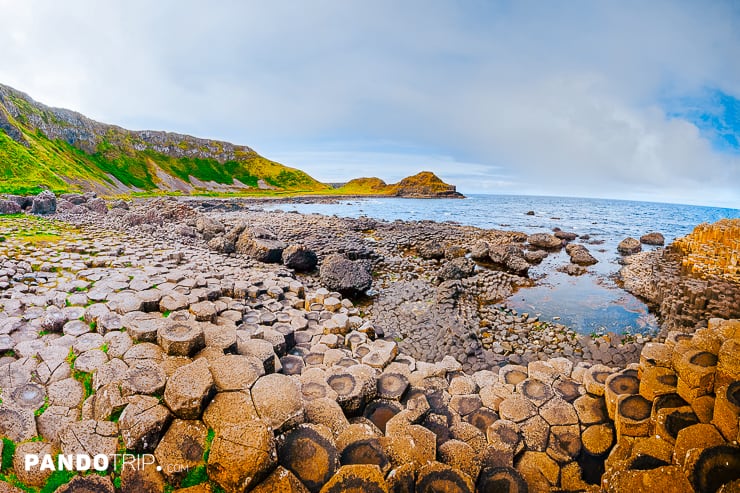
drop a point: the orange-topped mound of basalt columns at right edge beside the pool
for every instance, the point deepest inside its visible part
(694, 279)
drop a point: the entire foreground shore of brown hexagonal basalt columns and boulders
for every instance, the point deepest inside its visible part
(236, 349)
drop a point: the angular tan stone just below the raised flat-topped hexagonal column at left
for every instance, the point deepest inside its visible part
(188, 389)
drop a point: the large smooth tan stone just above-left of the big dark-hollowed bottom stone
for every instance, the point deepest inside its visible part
(278, 401)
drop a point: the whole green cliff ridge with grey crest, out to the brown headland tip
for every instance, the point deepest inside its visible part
(62, 150)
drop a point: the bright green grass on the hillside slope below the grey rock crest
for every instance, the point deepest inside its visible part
(123, 155)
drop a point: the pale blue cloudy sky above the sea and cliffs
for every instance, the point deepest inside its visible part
(615, 99)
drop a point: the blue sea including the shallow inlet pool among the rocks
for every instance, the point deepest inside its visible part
(588, 303)
